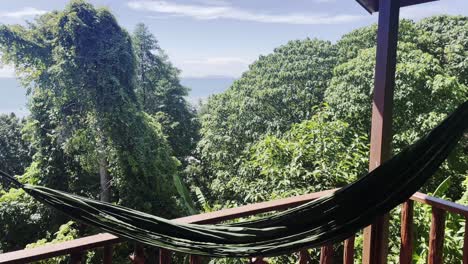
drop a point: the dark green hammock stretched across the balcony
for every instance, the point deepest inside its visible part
(329, 219)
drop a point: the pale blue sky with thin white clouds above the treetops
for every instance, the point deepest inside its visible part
(220, 38)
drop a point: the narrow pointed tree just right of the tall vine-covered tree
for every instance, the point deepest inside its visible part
(160, 93)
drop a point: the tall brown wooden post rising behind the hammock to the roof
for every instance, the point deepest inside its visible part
(375, 248)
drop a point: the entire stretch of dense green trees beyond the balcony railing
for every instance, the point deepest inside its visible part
(109, 119)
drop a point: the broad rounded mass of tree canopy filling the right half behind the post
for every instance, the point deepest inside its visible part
(282, 88)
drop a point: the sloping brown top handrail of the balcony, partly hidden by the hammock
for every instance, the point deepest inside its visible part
(100, 240)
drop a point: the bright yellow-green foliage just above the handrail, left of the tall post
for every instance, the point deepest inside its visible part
(316, 154)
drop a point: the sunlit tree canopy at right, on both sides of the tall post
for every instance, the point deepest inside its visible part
(426, 87)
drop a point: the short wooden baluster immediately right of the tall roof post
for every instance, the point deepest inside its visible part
(406, 250)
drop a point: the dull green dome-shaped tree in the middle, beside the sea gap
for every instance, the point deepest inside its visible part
(279, 90)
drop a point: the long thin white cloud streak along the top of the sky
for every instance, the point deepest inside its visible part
(226, 11)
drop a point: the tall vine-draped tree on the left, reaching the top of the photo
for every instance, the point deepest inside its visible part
(79, 66)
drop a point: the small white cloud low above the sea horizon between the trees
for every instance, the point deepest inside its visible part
(214, 66)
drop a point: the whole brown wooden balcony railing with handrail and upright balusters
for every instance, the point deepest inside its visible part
(77, 247)
